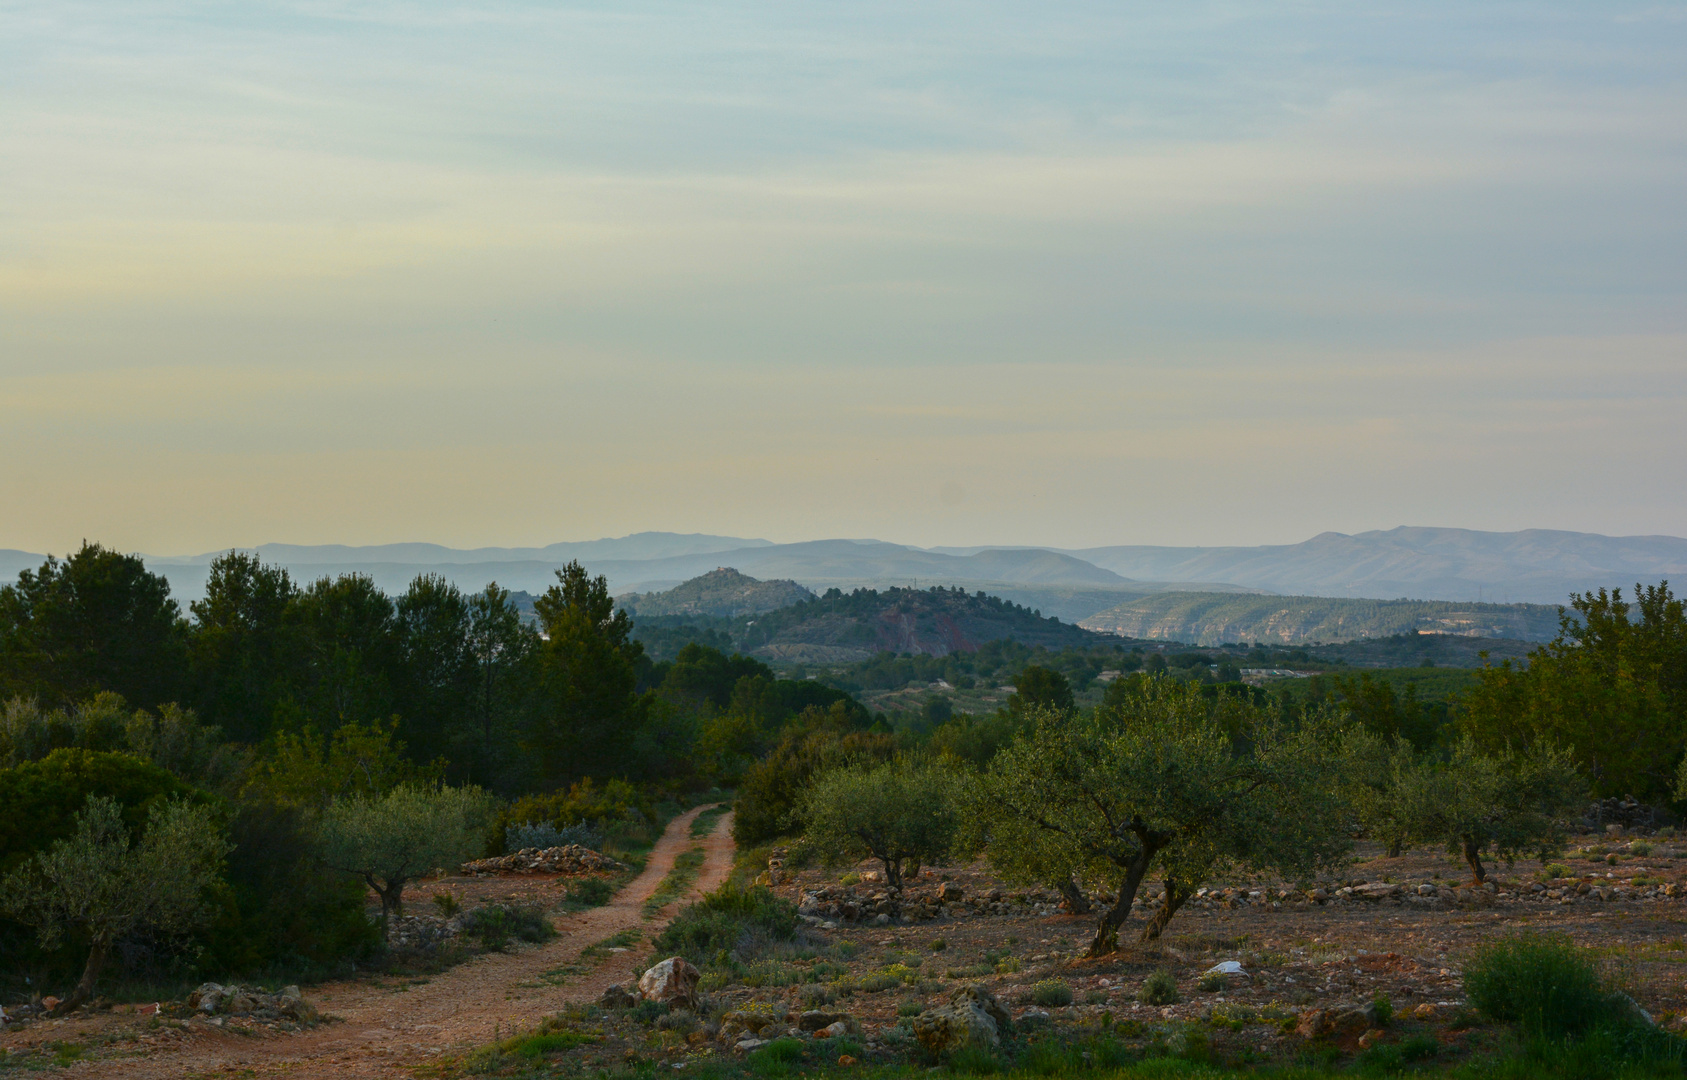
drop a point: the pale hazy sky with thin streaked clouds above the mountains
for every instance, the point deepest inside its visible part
(930, 273)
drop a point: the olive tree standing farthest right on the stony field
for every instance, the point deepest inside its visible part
(1511, 801)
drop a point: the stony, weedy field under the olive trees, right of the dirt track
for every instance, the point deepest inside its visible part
(1308, 966)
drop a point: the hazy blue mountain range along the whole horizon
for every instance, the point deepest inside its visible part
(1448, 564)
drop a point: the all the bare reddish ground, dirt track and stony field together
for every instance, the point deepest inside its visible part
(873, 976)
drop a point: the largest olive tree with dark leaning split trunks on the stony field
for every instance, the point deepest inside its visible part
(1165, 780)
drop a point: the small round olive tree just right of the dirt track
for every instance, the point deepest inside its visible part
(900, 813)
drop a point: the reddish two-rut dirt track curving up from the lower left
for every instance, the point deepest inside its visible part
(389, 1030)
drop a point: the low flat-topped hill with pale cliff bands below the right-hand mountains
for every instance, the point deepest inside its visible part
(1210, 618)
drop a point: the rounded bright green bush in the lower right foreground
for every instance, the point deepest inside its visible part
(1541, 983)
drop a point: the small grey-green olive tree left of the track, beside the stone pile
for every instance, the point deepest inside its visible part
(404, 834)
